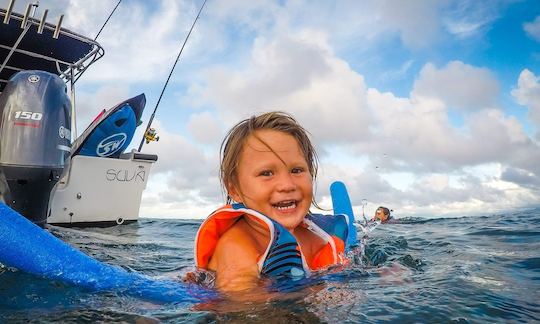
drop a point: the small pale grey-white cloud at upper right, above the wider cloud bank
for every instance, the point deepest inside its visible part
(459, 85)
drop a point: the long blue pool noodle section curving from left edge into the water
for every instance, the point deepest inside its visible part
(31, 249)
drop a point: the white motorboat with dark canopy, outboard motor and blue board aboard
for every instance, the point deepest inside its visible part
(48, 173)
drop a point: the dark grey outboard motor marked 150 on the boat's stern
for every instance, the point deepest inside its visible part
(35, 141)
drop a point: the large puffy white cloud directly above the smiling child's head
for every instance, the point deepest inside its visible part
(299, 75)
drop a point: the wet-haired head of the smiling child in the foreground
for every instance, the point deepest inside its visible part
(269, 164)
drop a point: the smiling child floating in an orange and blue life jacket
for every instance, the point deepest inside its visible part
(268, 168)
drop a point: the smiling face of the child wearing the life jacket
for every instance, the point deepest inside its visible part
(281, 191)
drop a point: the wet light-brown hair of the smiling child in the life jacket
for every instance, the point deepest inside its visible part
(234, 141)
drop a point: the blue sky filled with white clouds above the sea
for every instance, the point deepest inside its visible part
(431, 108)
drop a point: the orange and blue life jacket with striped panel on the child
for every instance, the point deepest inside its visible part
(282, 256)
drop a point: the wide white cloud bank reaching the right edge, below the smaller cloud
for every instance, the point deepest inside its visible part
(417, 136)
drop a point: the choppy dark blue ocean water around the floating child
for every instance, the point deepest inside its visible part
(464, 270)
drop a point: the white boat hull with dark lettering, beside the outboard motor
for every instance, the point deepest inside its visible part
(100, 190)
